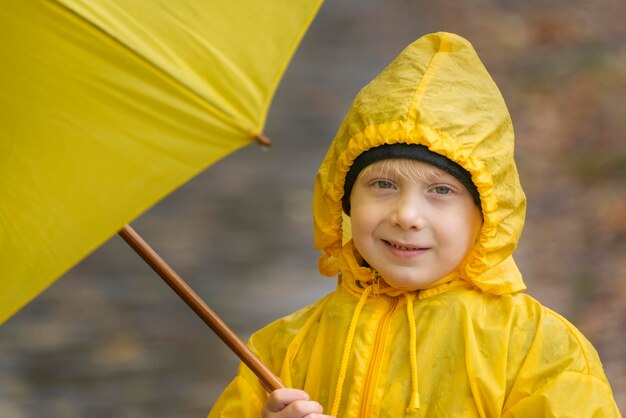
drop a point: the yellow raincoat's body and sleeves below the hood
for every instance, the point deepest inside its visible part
(478, 355)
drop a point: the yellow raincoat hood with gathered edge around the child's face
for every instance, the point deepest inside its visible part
(436, 93)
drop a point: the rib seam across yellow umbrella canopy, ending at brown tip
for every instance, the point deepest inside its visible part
(258, 136)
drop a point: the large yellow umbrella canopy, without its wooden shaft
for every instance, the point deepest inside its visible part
(108, 106)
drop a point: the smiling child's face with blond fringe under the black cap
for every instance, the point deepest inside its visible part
(414, 225)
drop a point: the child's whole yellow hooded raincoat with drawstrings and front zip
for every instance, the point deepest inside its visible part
(471, 345)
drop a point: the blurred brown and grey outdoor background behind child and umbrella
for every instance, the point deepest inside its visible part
(110, 339)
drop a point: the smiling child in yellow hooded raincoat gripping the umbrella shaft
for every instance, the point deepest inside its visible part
(428, 318)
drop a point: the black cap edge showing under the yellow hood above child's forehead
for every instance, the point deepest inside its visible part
(407, 152)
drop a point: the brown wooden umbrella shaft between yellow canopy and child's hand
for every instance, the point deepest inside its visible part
(269, 381)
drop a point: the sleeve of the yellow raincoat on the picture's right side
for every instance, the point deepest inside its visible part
(561, 376)
